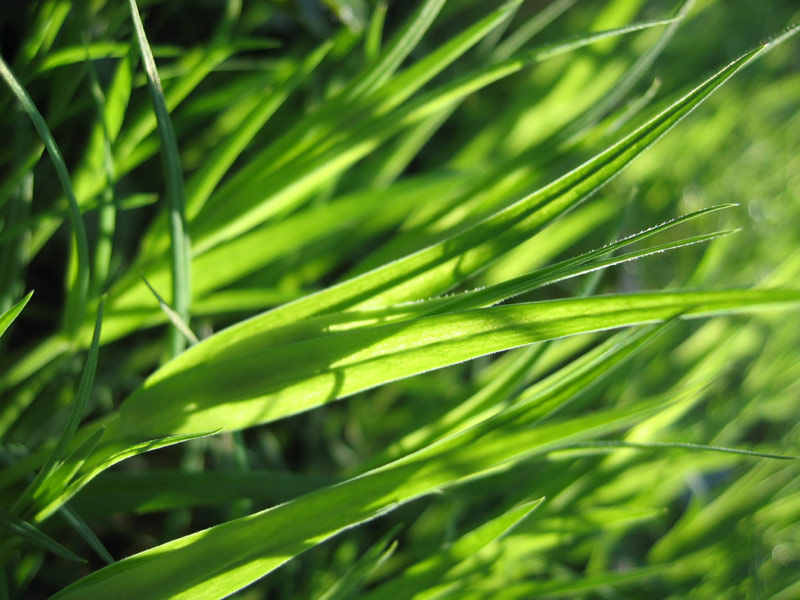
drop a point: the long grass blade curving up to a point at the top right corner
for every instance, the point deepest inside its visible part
(445, 264)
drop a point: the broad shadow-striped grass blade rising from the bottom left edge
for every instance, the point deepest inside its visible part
(238, 552)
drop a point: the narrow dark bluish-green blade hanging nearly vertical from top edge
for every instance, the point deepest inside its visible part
(173, 175)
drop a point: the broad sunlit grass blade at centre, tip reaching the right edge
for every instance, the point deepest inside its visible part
(268, 383)
